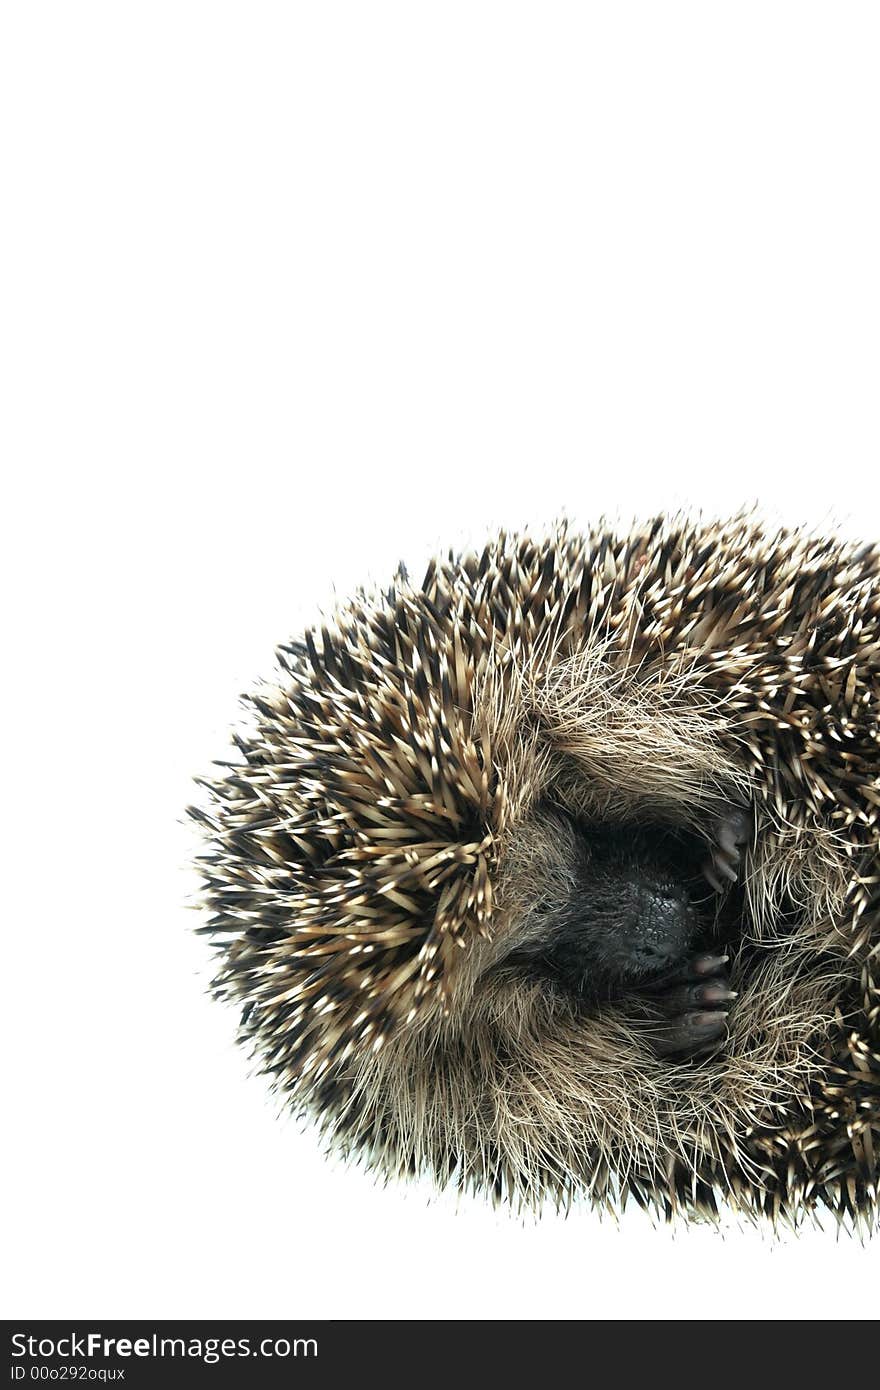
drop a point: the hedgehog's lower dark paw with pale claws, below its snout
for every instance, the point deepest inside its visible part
(696, 1008)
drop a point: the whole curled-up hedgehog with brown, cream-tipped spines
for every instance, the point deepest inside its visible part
(557, 874)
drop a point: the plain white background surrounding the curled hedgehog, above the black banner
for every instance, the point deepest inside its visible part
(290, 293)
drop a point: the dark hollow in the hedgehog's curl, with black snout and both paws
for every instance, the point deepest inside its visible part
(642, 908)
